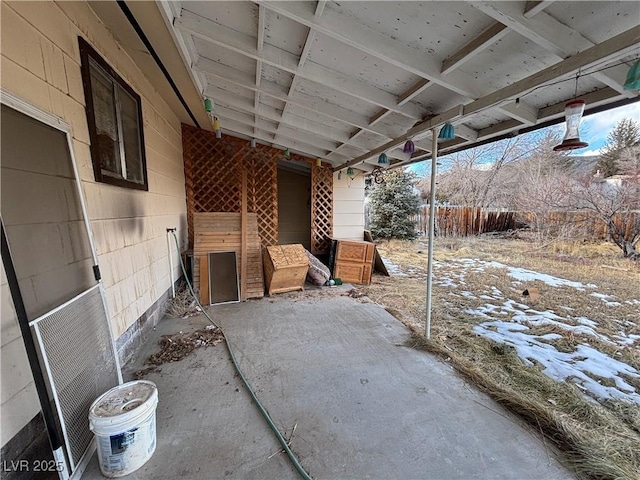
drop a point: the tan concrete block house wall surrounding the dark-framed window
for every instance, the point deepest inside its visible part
(40, 62)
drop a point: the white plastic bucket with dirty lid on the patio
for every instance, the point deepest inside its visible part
(124, 423)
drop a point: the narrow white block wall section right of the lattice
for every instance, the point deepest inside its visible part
(348, 206)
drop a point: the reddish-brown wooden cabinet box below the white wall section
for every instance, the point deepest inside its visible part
(354, 261)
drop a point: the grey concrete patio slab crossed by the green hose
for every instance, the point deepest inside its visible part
(363, 404)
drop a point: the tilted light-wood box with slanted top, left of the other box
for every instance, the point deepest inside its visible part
(285, 268)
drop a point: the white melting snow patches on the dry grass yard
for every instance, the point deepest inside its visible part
(510, 322)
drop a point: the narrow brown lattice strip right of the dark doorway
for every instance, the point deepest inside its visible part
(321, 208)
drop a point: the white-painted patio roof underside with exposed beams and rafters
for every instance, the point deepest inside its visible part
(346, 81)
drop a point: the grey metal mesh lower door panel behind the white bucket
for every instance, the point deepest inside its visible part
(76, 346)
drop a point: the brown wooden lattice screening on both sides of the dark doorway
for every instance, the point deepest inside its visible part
(213, 177)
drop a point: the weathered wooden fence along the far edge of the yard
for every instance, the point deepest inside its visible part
(467, 221)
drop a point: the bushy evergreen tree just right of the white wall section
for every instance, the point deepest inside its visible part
(392, 205)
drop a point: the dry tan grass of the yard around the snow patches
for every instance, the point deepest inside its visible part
(602, 441)
